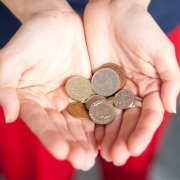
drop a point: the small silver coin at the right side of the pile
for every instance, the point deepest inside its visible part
(124, 99)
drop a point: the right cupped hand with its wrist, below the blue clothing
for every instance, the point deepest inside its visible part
(123, 32)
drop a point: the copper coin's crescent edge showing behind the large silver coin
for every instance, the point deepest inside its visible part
(119, 71)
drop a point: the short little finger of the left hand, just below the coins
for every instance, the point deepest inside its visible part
(89, 128)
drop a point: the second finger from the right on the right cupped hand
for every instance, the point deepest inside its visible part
(120, 153)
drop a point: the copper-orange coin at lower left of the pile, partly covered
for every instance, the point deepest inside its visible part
(78, 110)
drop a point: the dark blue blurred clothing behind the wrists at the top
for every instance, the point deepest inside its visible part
(166, 13)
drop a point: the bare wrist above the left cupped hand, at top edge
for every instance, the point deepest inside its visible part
(24, 9)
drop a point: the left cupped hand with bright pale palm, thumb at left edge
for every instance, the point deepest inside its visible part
(34, 66)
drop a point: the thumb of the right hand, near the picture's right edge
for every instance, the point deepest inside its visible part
(169, 73)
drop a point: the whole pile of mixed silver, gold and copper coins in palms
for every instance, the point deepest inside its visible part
(98, 98)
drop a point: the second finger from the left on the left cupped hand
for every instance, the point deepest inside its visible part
(76, 153)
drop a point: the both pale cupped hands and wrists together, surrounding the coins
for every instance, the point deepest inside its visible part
(50, 47)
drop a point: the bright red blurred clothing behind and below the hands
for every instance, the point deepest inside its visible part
(22, 157)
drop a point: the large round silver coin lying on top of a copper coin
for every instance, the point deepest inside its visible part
(105, 82)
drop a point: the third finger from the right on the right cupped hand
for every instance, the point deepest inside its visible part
(111, 133)
